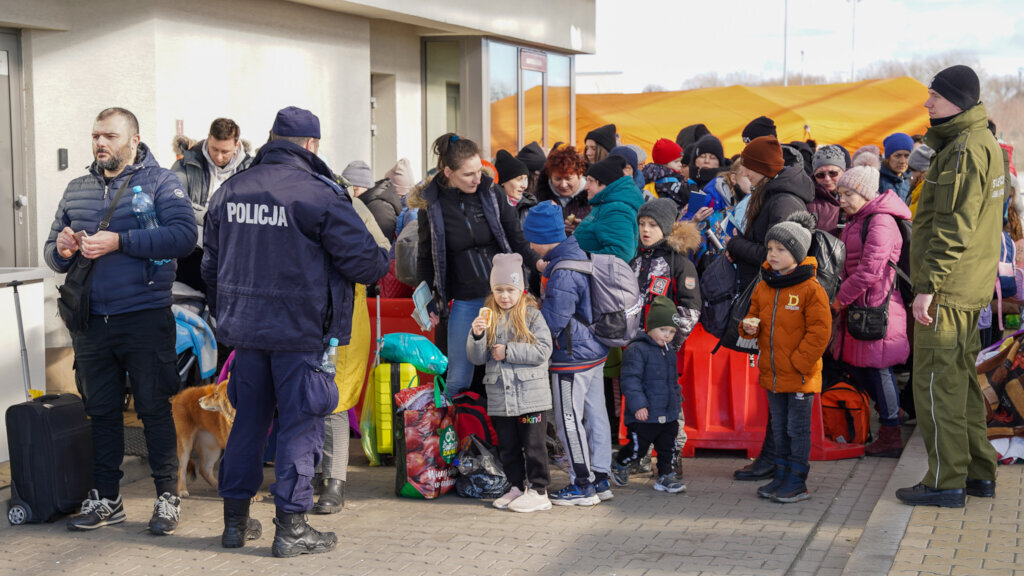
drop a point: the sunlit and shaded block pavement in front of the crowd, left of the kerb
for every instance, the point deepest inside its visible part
(717, 527)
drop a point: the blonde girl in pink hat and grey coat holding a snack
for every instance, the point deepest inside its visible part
(511, 337)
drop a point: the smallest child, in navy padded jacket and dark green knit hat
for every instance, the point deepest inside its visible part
(654, 401)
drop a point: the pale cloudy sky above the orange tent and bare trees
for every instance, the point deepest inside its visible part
(666, 43)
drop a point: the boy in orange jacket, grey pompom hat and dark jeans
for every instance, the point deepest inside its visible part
(791, 319)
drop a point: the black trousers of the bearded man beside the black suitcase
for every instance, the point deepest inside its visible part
(142, 345)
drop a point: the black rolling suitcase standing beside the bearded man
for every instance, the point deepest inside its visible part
(51, 443)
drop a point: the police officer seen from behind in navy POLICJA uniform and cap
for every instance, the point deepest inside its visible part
(283, 250)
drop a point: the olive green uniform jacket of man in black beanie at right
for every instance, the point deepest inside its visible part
(957, 230)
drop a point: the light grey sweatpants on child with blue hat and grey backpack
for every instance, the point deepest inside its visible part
(583, 423)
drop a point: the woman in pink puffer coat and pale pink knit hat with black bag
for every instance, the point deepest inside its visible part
(867, 281)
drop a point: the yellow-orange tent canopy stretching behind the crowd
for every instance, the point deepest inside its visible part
(852, 115)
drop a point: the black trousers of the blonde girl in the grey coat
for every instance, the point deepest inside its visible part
(523, 448)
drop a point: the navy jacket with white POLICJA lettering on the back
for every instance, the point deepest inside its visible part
(283, 250)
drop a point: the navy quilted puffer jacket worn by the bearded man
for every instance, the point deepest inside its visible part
(125, 280)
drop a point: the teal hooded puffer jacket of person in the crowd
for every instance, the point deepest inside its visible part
(612, 226)
